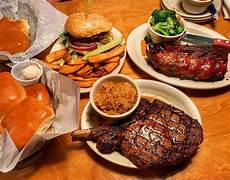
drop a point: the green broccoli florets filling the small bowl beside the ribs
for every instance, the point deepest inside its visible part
(165, 22)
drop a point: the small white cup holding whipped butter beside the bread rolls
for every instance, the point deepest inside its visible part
(16, 72)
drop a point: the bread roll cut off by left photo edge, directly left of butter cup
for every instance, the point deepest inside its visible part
(11, 92)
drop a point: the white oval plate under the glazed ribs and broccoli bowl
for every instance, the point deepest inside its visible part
(134, 51)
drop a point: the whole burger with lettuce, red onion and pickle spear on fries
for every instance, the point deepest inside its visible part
(86, 33)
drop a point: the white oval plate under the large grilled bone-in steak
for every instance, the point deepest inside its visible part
(156, 89)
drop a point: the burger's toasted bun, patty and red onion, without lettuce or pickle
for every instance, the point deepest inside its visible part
(85, 31)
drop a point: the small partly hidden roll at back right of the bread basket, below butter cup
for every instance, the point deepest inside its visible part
(38, 91)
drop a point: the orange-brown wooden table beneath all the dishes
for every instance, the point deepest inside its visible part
(66, 160)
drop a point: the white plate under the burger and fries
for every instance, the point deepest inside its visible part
(116, 34)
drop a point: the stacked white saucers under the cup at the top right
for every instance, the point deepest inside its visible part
(176, 6)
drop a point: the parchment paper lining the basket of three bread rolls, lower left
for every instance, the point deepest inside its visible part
(65, 98)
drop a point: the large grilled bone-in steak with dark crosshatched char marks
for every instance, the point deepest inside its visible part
(158, 135)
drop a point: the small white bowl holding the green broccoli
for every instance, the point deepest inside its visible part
(159, 38)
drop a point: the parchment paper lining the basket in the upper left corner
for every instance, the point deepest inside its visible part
(46, 23)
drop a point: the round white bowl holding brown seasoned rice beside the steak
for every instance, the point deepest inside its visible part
(114, 77)
